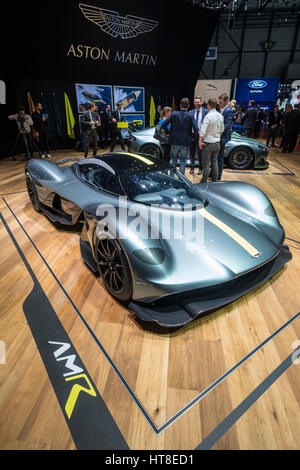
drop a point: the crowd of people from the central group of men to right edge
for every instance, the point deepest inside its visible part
(208, 127)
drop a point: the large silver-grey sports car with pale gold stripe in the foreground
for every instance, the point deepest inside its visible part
(133, 208)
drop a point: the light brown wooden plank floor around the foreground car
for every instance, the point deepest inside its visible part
(165, 370)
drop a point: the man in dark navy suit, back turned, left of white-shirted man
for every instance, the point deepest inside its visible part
(182, 126)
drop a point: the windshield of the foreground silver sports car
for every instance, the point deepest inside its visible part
(165, 186)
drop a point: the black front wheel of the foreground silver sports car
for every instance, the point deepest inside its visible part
(113, 267)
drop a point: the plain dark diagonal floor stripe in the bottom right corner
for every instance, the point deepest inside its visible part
(240, 410)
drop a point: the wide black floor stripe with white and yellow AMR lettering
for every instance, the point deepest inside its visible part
(89, 420)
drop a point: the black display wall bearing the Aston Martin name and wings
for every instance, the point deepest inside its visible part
(51, 46)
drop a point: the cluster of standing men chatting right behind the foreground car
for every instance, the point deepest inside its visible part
(204, 130)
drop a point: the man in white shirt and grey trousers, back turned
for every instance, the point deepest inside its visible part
(209, 141)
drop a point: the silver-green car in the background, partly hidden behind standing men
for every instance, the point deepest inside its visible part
(241, 153)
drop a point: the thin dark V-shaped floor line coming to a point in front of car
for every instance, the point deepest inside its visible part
(177, 415)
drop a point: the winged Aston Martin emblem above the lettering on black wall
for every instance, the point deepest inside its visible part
(115, 25)
